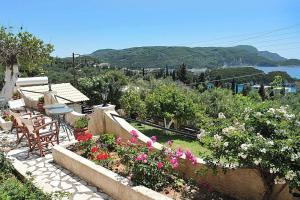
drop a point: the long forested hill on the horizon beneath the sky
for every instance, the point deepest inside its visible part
(196, 57)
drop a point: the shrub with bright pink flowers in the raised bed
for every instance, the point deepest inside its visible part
(149, 167)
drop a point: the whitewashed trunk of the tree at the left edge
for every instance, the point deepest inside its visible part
(11, 76)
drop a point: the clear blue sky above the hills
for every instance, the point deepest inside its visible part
(85, 26)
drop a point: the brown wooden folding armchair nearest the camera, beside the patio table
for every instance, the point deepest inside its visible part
(40, 137)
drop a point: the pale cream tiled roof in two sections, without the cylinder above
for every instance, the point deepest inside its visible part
(65, 90)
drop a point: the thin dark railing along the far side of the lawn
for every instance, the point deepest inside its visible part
(192, 135)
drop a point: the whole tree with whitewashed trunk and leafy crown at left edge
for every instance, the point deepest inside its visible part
(21, 49)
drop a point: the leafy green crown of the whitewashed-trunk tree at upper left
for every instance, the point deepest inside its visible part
(25, 49)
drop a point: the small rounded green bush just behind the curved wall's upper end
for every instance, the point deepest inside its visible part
(132, 103)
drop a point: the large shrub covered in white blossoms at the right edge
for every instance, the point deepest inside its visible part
(264, 138)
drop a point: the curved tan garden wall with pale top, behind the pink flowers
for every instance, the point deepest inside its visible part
(243, 184)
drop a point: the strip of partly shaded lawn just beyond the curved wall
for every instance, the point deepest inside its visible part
(178, 140)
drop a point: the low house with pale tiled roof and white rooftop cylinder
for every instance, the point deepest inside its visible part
(34, 87)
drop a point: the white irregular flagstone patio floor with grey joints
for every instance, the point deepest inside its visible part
(47, 175)
